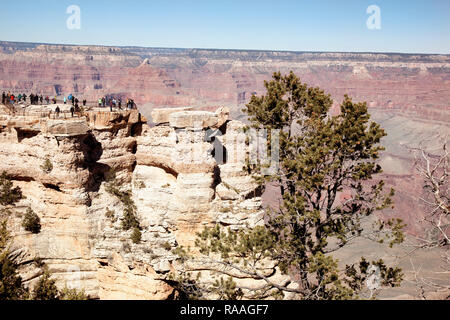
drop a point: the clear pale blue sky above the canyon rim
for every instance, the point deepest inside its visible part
(419, 26)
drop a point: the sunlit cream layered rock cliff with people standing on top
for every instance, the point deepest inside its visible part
(177, 182)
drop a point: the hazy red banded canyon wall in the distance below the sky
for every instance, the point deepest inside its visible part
(408, 94)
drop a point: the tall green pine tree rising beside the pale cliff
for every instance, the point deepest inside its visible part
(322, 157)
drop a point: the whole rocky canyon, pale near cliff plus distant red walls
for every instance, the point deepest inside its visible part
(182, 94)
